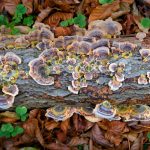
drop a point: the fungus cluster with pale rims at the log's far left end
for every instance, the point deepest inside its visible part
(9, 72)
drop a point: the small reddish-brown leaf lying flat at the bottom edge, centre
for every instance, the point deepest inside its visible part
(75, 141)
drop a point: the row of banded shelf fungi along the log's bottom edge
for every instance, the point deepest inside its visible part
(101, 111)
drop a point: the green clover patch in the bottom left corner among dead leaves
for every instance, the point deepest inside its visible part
(7, 130)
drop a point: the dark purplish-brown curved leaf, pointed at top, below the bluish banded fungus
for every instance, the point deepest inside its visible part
(98, 137)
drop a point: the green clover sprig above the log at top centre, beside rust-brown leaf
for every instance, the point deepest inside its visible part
(79, 20)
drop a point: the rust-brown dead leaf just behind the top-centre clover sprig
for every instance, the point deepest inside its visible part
(55, 18)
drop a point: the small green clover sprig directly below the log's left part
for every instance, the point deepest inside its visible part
(21, 112)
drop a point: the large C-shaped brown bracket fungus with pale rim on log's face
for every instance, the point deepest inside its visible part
(40, 73)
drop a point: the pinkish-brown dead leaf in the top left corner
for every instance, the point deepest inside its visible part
(9, 5)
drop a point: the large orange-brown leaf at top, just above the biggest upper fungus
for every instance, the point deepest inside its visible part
(104, 11)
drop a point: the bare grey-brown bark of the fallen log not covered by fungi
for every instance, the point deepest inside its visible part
(33, 95)
